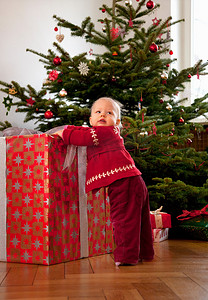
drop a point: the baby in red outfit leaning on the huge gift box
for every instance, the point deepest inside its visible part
(110, 165)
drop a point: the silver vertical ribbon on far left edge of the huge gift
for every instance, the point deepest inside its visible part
(3, 201)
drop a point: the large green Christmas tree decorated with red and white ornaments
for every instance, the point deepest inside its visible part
(135, 68)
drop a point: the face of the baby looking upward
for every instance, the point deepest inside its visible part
(104, 114)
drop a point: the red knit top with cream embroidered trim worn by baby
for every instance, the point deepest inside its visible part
(107, 158)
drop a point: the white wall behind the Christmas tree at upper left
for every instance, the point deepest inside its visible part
(29, 24)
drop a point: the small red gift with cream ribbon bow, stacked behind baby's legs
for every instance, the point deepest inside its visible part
(159, 219)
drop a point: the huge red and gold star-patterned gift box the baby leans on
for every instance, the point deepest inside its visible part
(45, 215)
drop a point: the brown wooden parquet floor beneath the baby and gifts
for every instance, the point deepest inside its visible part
(179, 271)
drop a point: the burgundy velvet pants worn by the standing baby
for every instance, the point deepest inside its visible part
(130, 216)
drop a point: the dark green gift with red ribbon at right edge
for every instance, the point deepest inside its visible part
(194, 224)
